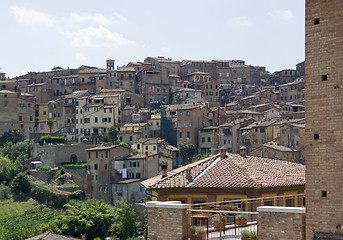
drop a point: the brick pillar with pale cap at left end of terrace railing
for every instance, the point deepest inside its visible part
(167, 220)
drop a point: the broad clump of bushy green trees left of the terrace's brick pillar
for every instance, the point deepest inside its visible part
(95, 219)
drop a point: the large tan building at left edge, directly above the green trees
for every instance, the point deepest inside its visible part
(17, 111)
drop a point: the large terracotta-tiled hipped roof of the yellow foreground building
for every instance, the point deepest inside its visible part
(232, 172)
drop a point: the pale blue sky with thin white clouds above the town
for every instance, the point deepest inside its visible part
(38, 35)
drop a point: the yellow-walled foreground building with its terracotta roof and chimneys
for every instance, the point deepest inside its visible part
(225, 176)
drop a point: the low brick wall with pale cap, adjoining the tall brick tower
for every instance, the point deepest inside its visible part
(282, 223)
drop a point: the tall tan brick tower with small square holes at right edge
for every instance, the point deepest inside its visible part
(324, 118)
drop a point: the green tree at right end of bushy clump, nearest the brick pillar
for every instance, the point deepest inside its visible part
(127, 223)
